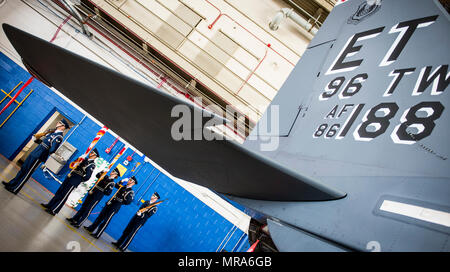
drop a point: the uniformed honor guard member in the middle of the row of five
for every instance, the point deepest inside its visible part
(102, 188)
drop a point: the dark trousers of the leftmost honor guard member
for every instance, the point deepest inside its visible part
(25, 172)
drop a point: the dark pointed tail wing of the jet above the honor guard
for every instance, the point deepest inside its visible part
(142, 116)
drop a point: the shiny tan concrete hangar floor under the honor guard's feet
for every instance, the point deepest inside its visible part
(25, 226)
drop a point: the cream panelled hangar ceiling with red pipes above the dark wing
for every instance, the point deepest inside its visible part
(221, 51)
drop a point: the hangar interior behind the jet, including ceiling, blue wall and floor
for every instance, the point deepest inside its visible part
(229, 55)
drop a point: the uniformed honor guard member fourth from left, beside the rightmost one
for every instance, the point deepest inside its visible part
(123, 196)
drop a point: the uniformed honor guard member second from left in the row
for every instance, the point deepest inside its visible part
(81, 173)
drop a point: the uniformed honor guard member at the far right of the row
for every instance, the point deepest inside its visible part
(136, 222)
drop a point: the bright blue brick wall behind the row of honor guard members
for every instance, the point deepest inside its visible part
(182, 223)
